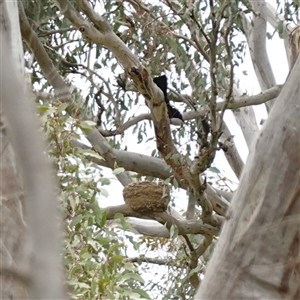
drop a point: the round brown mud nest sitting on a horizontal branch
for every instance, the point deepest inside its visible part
(147, 196)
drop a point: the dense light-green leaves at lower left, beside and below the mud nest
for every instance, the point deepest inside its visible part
(96, 249)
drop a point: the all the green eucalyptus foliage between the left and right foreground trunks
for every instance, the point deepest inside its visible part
(198, 47)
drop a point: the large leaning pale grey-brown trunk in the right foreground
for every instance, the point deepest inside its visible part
(257, 255)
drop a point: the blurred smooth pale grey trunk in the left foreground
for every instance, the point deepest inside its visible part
(43, 274)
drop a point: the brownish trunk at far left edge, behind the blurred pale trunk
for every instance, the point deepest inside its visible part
(14, 251)
